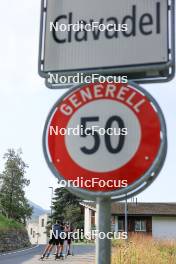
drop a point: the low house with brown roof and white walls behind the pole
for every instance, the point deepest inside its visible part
(155, 219)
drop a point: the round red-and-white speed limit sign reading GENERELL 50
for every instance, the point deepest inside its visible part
(105, 140)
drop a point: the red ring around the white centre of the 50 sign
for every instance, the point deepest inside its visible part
(64, 169)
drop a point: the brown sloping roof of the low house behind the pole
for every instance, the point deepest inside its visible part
(149, 209)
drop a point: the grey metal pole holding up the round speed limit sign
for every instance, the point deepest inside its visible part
(103, 246)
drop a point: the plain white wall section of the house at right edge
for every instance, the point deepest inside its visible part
(164, 227)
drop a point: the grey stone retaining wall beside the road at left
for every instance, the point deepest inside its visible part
(13, 239)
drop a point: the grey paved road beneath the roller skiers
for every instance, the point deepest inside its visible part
(83, 254)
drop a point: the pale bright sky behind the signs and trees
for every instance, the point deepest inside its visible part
(25, 103)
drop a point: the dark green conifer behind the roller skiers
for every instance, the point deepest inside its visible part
(66, 207)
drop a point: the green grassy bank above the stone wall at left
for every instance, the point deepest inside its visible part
(6, 224)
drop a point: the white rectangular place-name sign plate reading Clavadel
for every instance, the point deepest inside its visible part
(144, 45)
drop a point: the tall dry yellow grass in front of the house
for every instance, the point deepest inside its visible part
(144, 250)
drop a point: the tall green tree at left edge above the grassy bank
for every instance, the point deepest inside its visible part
(12, 196)
